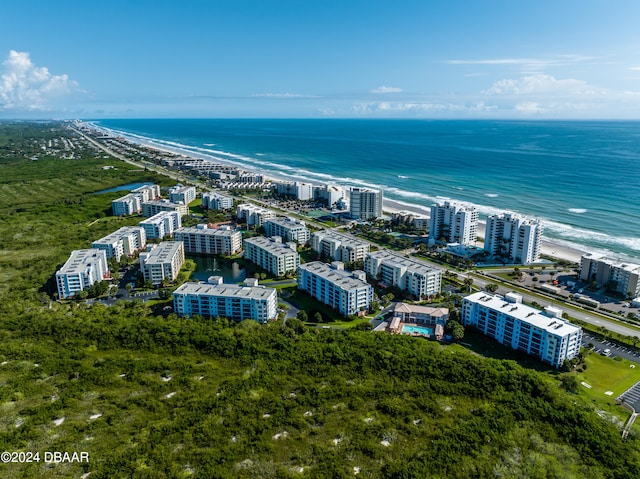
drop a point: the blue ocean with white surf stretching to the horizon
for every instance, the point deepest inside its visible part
(580, 178)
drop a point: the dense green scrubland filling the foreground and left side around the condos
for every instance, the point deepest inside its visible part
(154, 396)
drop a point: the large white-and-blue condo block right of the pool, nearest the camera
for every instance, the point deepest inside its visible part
(544, 335)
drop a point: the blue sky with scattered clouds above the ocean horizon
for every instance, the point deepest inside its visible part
(335, 58)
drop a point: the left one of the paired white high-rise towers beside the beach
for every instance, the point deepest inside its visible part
(453, 223)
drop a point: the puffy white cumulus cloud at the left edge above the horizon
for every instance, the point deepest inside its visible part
(25, 86)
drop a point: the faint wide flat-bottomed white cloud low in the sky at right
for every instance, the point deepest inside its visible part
(540, 84)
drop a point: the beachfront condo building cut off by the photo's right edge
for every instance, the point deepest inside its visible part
(620, 276)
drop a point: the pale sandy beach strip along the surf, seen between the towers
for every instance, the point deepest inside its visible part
(548, 248)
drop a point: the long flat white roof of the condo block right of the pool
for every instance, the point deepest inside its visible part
(527, 314)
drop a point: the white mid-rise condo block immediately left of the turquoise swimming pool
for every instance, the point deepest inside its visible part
(347, 292)
